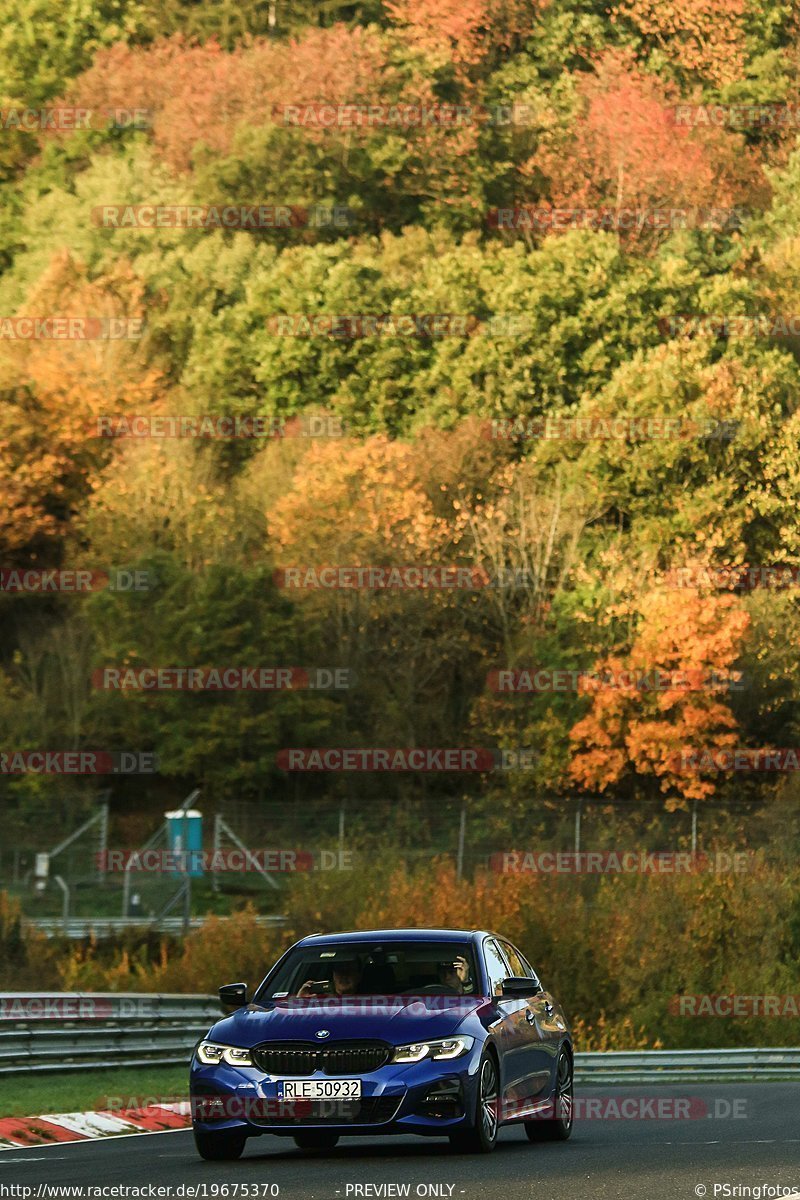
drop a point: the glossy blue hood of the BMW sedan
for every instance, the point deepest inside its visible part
(390, 1019)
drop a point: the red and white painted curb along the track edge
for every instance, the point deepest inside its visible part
(53, 1127)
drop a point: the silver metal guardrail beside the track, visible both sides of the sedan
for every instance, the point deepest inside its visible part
(83, 1031)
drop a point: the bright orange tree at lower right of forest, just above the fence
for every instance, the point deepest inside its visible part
(689, 639)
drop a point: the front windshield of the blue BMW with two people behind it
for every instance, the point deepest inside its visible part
(364, 969)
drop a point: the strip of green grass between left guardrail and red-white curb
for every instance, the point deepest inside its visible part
(85, 1091)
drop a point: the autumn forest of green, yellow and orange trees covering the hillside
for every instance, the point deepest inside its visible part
(503, 289)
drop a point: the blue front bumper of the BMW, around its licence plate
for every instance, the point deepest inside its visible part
(430, 1099)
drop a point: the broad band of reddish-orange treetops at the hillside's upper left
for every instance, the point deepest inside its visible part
(202, 95)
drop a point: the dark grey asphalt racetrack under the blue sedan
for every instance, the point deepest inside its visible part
(759, 1151)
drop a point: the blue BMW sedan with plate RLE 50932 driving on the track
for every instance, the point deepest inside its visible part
(440, 1033)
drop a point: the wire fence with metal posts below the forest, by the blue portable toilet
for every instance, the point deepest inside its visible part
(249, 850)
